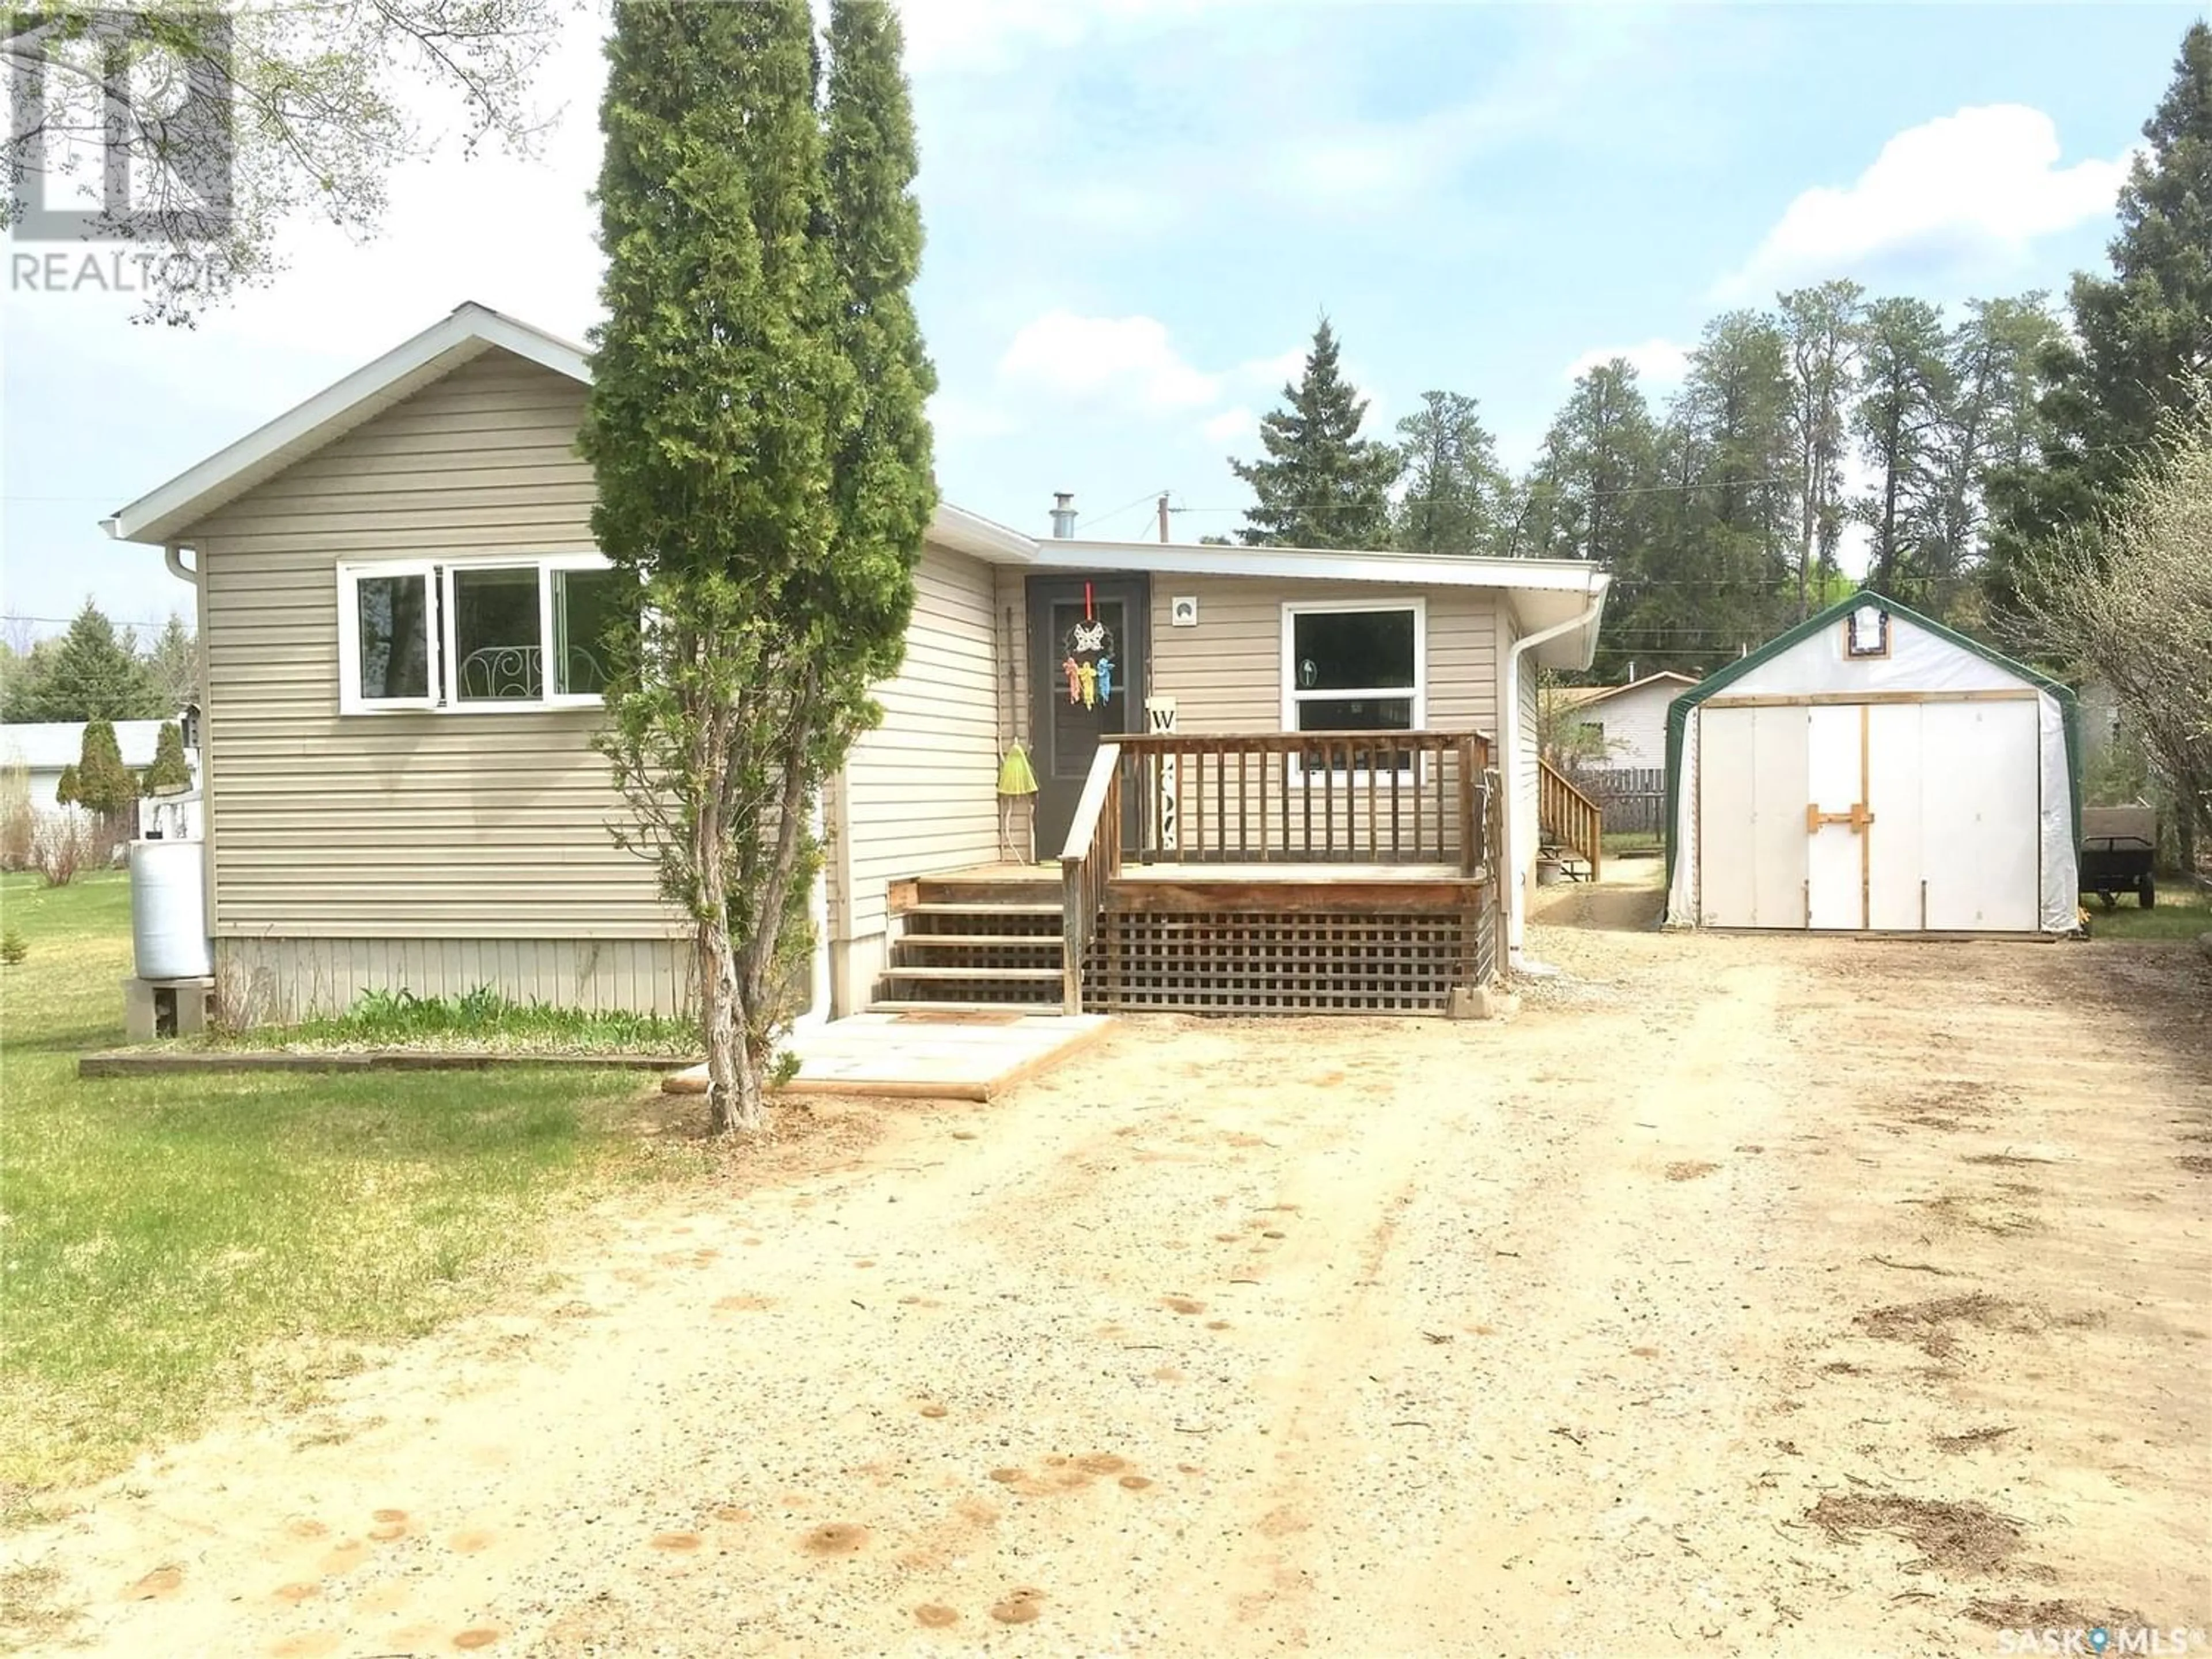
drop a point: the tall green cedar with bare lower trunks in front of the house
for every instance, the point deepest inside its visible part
(762, 461)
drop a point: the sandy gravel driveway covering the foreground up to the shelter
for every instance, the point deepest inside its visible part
(1744, 1295)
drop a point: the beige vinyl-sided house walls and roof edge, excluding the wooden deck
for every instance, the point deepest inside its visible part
(399, 720)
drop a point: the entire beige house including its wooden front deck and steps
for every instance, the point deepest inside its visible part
(1266, 778)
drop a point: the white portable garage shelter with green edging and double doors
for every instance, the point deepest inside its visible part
(1872, 771)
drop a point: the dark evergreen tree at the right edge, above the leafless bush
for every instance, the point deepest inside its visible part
(2138, 335)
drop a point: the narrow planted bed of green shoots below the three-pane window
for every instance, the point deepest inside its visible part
(477, 1021)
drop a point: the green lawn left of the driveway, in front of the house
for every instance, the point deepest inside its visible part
(178, 1244)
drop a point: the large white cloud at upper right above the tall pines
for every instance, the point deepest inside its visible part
(1968, 189)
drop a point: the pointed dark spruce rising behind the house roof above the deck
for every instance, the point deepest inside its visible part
(1322, 483)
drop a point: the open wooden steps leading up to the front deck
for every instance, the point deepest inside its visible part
(977, 948)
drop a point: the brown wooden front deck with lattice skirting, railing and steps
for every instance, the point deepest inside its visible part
(1291, 873)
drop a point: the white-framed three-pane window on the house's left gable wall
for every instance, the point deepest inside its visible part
(477, 636)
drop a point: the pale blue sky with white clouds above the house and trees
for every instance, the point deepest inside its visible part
(1140, 209)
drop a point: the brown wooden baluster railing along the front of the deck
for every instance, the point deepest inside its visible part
(1308, 797)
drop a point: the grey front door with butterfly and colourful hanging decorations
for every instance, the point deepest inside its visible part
(1087, 669)
